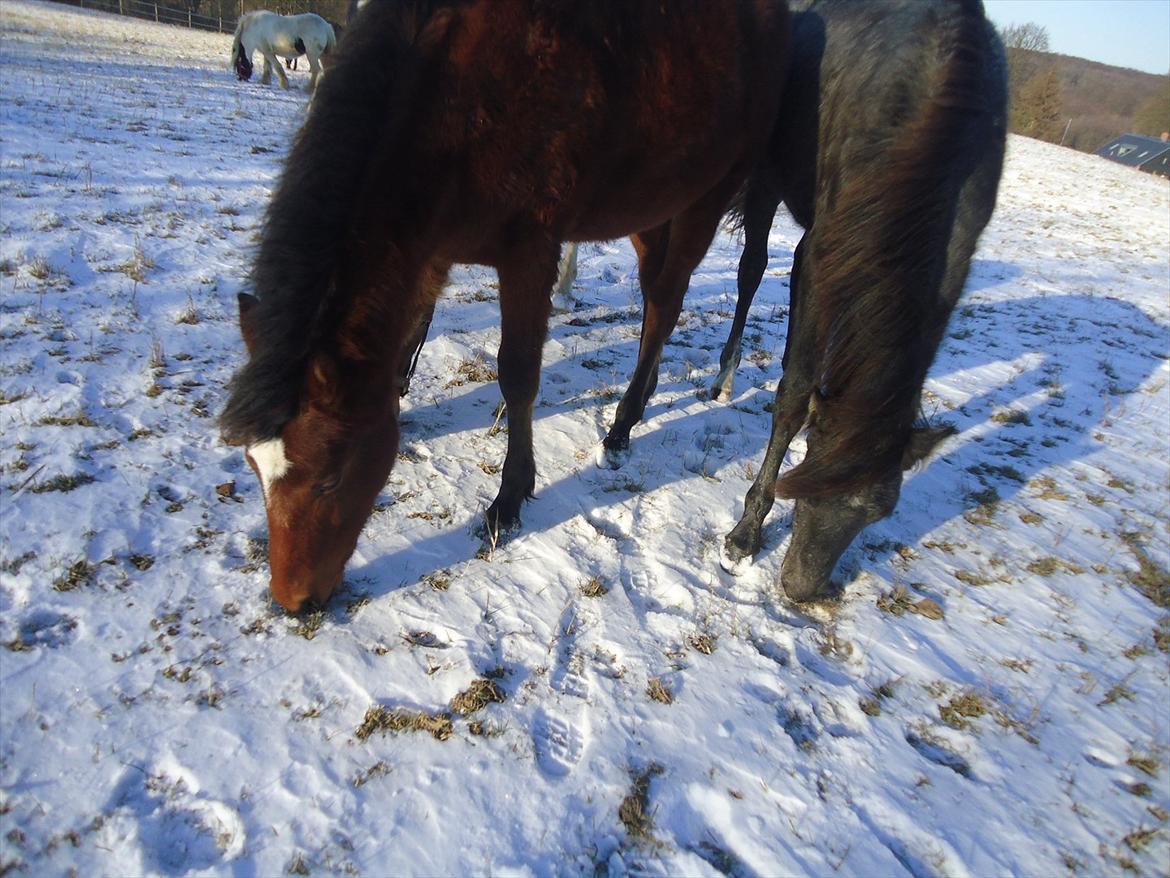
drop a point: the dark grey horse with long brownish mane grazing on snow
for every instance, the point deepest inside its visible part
(889, 152)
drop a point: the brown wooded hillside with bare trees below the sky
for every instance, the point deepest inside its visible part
(1082, 104)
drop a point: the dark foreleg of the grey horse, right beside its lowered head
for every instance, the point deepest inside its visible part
(790, 411)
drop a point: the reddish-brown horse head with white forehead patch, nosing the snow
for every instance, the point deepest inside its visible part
(321, 474)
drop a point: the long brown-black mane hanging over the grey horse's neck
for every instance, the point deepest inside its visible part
(880, 260)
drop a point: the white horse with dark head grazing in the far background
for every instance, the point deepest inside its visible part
(277, 37)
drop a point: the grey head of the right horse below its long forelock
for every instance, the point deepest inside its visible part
(824, 526)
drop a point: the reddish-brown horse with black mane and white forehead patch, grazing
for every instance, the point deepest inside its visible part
(485, 132)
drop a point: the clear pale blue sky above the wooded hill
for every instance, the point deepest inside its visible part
(1127, 33)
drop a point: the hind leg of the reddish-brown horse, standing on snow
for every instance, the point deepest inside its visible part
(667, 257)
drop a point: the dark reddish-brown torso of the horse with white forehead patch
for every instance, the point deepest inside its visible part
(598, 120)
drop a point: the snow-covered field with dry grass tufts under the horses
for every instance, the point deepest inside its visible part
(989, 696)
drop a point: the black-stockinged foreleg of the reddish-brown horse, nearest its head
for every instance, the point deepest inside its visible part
(525, 307)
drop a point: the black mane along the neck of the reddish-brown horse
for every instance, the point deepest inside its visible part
(356, 119)
